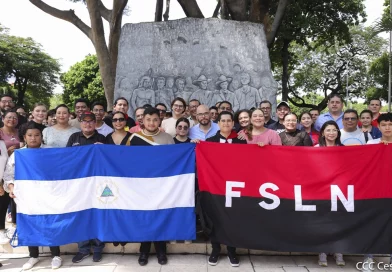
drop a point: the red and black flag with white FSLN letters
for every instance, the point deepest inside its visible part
(297, 199)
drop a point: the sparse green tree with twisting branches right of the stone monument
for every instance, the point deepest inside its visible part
(325, 69)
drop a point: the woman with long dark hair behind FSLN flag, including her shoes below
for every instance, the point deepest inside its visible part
(330, 136)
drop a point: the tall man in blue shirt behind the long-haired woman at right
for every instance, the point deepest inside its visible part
(335, 112)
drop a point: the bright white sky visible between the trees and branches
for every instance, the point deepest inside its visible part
(63, 41)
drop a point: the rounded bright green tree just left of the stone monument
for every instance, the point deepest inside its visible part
(83, 80)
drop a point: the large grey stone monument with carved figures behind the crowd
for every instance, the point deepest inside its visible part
(206, 59)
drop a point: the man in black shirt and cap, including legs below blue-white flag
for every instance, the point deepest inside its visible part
(87, 136)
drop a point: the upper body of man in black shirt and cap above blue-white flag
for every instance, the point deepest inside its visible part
(88, 135)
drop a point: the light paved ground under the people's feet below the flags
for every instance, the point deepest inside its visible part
(187, 263)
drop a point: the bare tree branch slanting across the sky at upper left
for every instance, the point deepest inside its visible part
(66, 15)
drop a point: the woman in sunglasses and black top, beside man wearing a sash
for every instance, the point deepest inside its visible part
(119, 136)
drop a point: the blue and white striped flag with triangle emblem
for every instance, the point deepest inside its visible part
(108, 192)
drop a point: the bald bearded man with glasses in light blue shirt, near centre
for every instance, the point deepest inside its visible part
(205, 128)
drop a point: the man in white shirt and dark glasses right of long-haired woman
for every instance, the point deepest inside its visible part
(350, 133)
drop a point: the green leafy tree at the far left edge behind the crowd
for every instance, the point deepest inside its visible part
(35, 73)
